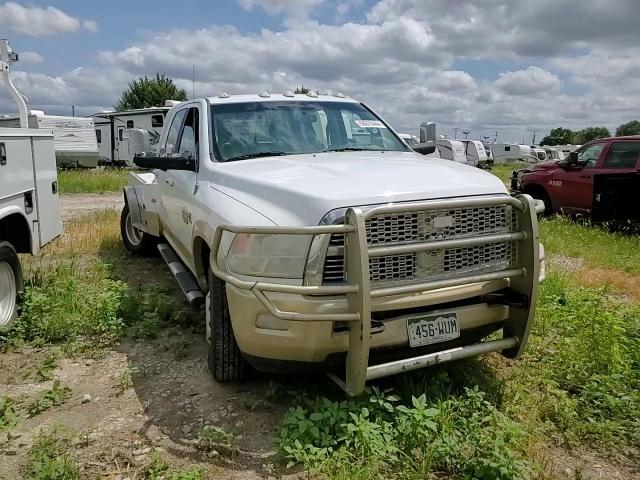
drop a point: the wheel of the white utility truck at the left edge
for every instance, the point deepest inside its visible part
(11, 284)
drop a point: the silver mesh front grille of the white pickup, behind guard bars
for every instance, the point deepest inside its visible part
(438, 224)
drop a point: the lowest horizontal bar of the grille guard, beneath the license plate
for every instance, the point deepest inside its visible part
(414, 363)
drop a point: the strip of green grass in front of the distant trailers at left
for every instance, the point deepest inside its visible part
(92, 181)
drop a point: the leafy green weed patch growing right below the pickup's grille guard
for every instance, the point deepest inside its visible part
(379, 436)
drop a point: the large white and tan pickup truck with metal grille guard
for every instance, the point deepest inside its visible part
(319, 240)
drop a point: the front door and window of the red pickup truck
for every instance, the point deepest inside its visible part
(571, 188)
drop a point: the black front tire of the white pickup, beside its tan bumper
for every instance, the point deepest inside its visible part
(225, 360)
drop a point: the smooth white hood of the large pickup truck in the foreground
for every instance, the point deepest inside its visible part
(301, 189)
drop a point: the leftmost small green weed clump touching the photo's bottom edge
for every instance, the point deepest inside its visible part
(49, 459)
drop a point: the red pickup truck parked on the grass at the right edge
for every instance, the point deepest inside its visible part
(600, 180)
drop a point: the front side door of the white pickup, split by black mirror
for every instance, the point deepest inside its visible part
(177, 186)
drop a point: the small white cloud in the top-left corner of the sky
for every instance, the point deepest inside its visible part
(41, 21)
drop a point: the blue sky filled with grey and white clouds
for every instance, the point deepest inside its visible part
(486, 66)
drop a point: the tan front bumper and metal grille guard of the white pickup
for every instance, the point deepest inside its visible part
(300, 319)
